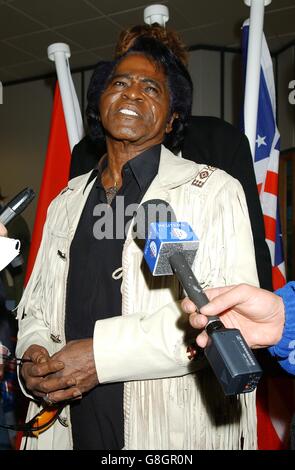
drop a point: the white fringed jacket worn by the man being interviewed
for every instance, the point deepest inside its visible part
(166, 405)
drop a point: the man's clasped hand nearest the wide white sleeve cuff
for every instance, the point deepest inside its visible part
(78, 359)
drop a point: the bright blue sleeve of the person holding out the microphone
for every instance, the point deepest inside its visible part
(284, 350)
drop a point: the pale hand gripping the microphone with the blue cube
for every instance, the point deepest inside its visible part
(257, 313)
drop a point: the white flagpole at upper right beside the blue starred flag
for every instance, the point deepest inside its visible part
(253, 68)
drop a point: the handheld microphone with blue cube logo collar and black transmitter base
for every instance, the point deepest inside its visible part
(171, 248)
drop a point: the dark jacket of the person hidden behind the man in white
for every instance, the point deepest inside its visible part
(214, 142)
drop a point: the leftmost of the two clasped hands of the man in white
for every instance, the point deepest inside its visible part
(40, 376)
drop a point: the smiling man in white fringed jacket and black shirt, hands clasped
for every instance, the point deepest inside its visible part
(116, 354)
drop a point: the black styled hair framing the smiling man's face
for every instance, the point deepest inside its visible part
(179, 84)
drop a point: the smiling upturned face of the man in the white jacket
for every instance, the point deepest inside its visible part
(135, 105)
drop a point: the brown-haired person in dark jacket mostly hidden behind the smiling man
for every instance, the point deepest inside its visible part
(207, 140)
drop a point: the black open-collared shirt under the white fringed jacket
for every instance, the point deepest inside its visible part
(92, 294)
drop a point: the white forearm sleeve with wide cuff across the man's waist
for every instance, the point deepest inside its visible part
(137, 347)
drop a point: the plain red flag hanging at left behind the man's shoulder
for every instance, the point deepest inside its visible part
(55, 174)
